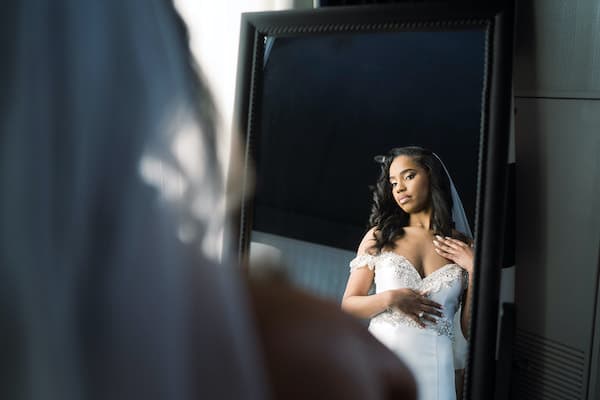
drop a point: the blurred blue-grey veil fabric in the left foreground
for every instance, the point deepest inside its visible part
(112, 203)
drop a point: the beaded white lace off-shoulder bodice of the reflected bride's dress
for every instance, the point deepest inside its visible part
(394, 271)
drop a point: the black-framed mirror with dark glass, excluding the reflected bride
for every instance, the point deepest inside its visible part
(321, 92)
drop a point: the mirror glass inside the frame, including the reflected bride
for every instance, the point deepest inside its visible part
(361, 140)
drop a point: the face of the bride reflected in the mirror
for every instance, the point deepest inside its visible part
(410, 184)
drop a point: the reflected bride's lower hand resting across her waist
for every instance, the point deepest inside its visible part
(416, 305)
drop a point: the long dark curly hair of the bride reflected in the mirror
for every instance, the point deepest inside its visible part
(389, 219)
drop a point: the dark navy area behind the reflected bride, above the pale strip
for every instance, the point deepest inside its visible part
(332, 102)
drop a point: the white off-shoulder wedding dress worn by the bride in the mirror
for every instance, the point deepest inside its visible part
(429, 352)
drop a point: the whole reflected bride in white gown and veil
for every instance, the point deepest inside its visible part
(419, 256)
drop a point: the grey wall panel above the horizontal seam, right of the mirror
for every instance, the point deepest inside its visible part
(557, 48)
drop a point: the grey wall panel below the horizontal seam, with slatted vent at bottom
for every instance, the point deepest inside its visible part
(558, 231)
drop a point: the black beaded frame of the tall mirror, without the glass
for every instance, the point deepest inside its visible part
(497, 20)
